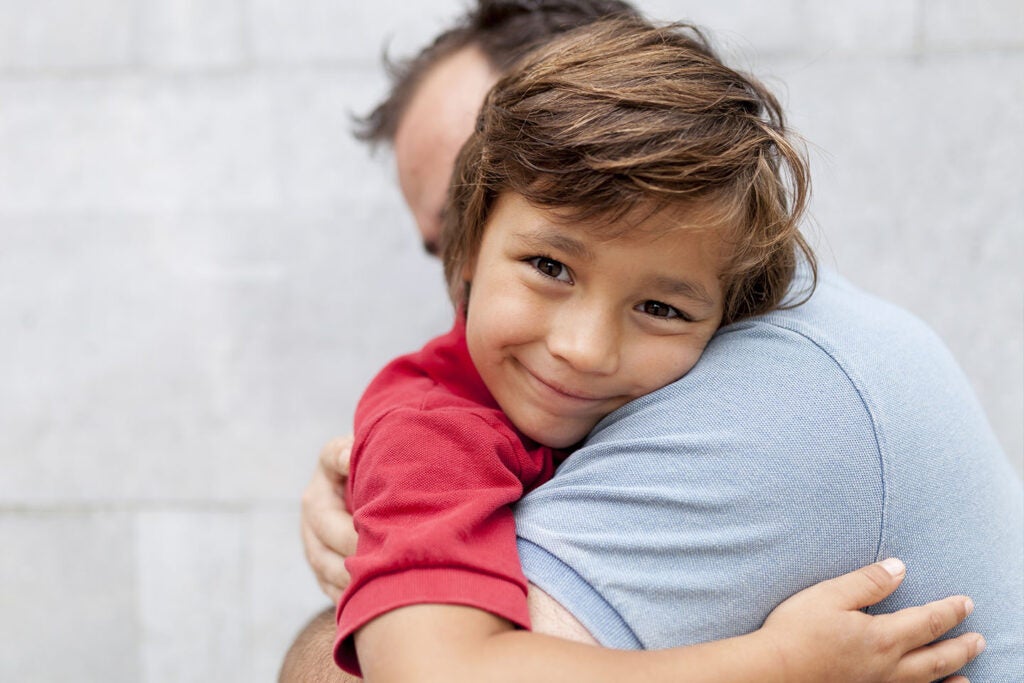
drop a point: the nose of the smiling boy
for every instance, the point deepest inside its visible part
(586, 339)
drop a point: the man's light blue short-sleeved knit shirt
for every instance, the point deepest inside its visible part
(804, 445)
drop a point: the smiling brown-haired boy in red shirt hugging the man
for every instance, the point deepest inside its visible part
(624, 197)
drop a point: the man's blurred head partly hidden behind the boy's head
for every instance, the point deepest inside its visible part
(436, 97)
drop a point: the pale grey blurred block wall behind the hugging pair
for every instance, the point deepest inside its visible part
(200, 270)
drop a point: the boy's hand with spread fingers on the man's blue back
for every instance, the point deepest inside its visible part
(822, 635)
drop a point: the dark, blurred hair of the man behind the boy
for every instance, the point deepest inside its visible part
(503, 30)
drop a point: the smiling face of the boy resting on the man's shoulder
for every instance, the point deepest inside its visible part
(566, 327)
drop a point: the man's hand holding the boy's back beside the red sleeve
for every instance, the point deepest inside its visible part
(328, 534)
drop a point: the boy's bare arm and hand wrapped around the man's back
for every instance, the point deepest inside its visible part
(819, 634)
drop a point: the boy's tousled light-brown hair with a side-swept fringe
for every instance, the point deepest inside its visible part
(622, 119)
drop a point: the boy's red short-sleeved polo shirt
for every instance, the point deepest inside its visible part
(435, 469)
